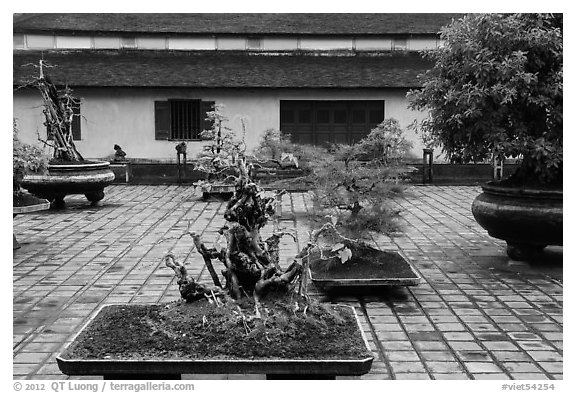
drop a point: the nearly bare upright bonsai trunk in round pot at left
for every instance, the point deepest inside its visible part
(58, 112)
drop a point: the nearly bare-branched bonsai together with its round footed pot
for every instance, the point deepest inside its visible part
(68, 172)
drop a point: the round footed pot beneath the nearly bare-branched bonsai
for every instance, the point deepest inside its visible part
(88, 178)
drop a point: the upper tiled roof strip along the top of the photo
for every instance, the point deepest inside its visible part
(255, 24)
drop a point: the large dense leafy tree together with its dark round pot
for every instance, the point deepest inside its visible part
(496, 91)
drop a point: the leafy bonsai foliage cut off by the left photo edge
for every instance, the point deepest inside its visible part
(25, 158)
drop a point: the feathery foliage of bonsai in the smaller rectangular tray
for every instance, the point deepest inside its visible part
(355, 184)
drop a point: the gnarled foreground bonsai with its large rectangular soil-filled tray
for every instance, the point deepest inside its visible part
(256, 317)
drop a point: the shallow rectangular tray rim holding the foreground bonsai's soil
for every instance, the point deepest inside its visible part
(174, 368)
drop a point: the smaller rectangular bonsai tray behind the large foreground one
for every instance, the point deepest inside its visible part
(402, 274)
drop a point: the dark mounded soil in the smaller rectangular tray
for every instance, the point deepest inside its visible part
(366, 263)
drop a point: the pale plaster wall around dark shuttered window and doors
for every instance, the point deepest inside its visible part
(126, 116)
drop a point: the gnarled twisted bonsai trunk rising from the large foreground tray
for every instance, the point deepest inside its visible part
(251, 263)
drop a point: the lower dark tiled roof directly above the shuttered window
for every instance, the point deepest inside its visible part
(223, 69)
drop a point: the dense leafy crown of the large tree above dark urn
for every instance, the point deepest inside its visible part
(496, 91)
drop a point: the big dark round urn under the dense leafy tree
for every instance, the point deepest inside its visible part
(527, 219)
